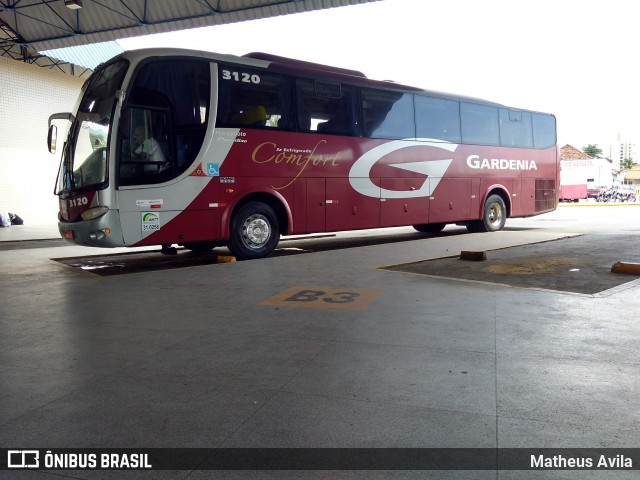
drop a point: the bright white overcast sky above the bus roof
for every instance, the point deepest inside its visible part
(576, 59)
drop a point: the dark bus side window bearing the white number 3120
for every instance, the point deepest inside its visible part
(255, 99)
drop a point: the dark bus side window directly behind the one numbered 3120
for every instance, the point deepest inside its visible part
(326, 107)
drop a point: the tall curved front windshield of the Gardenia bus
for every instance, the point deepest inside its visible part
(84, 160)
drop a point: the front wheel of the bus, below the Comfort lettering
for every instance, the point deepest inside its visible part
(254, 231)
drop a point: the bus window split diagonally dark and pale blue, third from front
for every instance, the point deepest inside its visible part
(388, 114)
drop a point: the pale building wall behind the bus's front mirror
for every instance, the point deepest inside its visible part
(28, 95)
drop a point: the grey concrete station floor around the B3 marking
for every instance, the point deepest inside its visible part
(245, 355)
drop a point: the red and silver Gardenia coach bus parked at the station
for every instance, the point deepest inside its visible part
(169, 146)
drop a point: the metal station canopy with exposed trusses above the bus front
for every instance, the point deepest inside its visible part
(30, 27)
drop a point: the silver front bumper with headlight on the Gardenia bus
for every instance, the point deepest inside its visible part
(104, 231)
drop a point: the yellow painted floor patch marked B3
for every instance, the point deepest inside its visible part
(342, 298)
